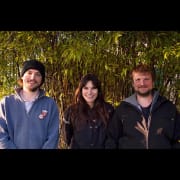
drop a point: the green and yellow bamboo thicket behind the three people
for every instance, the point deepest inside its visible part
(68, 55)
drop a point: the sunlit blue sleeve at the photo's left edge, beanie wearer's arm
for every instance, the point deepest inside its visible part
(5, 140)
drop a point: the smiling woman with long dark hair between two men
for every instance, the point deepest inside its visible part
(85, 121)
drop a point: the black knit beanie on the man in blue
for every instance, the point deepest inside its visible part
(34, 64)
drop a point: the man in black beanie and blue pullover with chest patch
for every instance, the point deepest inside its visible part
(29, 119)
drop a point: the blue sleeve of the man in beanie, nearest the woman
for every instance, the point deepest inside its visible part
(52, 139)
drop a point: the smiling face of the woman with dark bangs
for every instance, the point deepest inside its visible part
(90, 93)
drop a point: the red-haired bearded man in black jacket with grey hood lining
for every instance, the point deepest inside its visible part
(145, 120)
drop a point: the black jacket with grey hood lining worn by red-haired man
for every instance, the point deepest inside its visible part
(164, 128)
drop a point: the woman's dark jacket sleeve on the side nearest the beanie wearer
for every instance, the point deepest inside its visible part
(67, 127)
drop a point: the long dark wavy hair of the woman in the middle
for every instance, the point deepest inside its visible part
(80, 111)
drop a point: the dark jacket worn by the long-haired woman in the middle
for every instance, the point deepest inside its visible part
(91, 135)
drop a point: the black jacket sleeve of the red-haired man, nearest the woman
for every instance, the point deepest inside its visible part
(114, 131)
